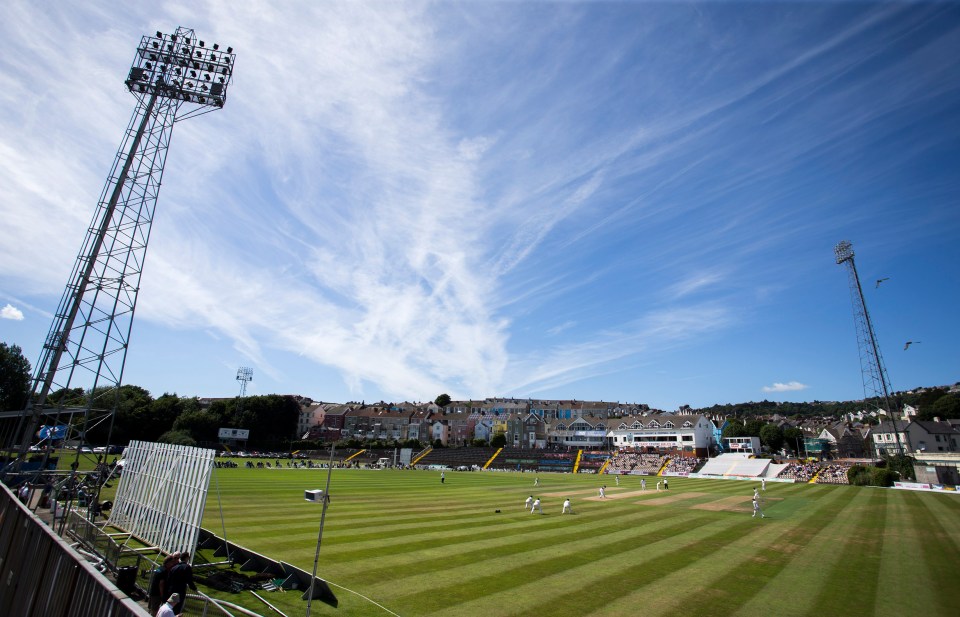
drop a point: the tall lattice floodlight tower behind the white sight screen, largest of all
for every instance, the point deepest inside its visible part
(173, 77)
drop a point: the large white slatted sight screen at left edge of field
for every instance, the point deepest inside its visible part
(162, 492)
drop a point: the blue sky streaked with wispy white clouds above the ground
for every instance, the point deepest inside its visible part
(613, 201)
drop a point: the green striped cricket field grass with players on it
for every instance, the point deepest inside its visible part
(421, 548)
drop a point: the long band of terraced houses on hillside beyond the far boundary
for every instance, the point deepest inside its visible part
(576, 424)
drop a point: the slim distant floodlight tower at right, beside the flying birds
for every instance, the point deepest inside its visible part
(874, 373)
